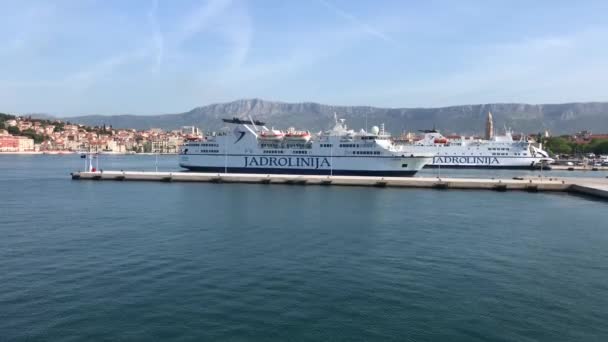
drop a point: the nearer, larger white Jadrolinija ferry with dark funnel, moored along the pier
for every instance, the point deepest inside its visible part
(253, 148)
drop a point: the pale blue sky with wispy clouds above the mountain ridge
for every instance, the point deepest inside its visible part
(76, 57)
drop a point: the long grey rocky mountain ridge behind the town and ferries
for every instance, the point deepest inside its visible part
(468, 119)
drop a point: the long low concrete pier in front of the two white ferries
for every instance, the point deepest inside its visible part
(596, 187)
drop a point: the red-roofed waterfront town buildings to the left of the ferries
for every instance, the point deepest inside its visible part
(37, 136)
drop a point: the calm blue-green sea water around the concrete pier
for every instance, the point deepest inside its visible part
(84, 260)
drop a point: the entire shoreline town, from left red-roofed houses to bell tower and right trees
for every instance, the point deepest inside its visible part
(27, 135)
